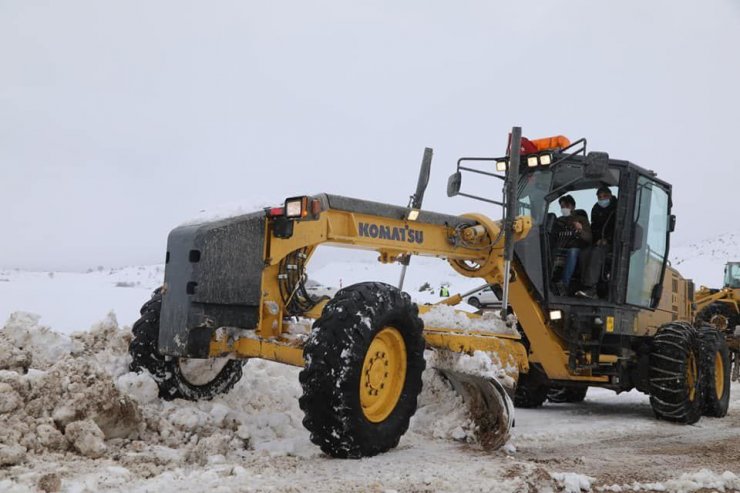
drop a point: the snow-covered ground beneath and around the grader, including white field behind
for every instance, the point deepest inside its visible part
(78, 421)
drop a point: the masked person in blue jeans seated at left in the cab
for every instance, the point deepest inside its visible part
(572, 232)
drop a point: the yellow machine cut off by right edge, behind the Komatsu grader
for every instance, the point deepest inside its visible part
(721, 308)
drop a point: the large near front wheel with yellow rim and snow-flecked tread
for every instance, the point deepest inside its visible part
(364, 360)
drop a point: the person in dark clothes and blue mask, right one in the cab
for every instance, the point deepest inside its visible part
(603, 219)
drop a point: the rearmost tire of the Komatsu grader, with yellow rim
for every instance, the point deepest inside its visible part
(716, 362)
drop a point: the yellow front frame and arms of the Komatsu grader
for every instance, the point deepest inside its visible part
(473, 254)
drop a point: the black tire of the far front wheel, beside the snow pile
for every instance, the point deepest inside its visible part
(167, 371)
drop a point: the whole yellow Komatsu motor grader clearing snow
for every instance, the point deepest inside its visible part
(235, 289)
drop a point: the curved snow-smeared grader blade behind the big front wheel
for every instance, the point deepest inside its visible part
(489, 405)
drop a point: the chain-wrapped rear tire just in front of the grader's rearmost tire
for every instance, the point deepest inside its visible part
(676, 390)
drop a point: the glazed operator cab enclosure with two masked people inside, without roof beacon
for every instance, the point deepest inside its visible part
(618, 246)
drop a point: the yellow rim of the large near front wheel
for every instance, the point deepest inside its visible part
(383, 374)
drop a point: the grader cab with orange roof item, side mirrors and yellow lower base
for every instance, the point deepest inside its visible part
(599, 282)
